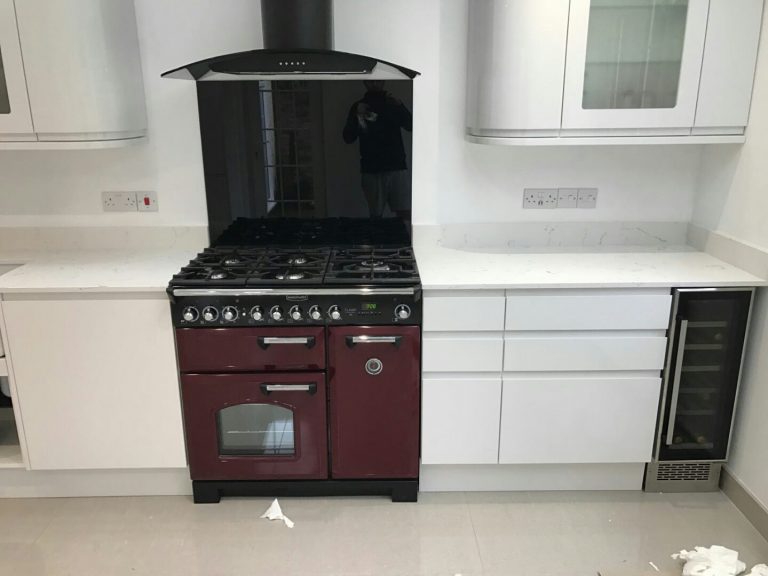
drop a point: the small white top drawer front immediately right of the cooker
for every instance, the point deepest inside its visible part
(475, 312)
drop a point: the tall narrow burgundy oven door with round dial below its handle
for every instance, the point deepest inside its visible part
(375, 383)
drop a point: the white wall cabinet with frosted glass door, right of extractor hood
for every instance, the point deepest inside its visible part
(577, 70)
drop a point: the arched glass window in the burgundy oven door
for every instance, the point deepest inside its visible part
(256, 430)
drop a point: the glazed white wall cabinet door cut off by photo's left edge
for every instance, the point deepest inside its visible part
(15, 117)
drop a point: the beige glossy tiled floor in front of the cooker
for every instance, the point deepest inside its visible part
(520, 534)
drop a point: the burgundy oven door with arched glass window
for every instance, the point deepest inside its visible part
(256, 426)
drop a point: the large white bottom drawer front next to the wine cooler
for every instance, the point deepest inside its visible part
(578, 420)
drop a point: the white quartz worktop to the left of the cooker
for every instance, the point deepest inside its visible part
(146, 270)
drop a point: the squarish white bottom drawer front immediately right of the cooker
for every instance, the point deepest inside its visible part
(460, 420)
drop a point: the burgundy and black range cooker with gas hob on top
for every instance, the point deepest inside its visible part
(307, 384)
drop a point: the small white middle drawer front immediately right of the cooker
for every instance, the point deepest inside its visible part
(462, 353)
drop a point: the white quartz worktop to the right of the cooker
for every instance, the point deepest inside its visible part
(626, 266)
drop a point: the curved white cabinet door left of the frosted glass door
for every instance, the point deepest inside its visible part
(516, 60)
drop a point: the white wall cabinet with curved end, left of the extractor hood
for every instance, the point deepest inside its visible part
(70, 73)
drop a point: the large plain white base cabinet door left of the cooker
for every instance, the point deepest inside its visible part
(97, 382)
